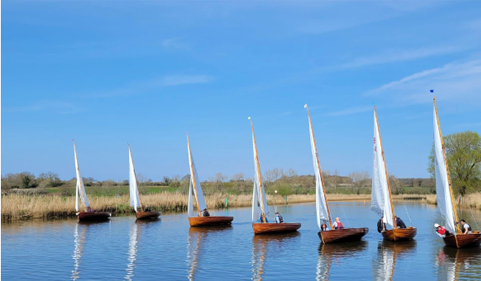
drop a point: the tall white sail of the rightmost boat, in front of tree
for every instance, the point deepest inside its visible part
(443, 193)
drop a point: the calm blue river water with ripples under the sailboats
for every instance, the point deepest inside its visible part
(169, 249)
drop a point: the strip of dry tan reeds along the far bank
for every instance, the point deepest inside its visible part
(27, 207)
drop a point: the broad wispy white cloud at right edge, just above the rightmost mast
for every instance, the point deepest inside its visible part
(458, 81)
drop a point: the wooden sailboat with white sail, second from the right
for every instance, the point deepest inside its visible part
(381, 202)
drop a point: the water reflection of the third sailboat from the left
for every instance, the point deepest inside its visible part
(196, 235)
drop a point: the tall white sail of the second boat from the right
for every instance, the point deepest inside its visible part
(380, 200)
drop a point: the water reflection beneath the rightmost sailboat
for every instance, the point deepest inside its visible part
(454, 264)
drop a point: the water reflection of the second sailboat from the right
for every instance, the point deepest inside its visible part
(388, 252)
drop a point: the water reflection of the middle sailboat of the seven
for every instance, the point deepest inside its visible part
(260, 243)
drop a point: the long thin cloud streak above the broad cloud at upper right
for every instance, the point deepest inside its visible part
(398, 56)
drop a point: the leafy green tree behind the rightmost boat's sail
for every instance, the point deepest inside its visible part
(463, 153)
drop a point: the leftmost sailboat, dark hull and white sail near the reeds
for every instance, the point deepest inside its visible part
(89, 214)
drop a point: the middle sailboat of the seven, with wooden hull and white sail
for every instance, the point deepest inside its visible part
(259, 203)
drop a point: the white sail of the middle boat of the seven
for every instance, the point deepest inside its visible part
(258, 192)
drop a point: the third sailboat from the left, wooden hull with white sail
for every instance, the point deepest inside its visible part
(200, 219)
